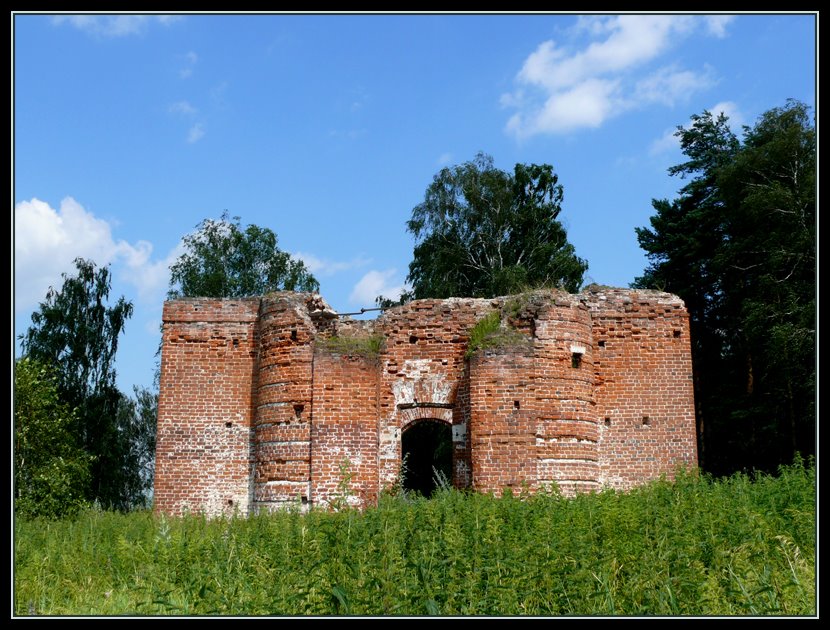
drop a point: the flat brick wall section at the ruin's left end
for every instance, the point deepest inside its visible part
(203, 444)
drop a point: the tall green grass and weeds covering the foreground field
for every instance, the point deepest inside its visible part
(737, 546)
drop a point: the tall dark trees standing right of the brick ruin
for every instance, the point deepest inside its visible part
(739, 246)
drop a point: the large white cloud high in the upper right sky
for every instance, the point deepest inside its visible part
(561, 90)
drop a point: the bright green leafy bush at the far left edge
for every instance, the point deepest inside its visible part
(51, 470)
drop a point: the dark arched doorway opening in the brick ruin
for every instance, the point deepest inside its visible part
(426, 445)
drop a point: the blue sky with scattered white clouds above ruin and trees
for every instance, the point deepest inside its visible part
(131, 129)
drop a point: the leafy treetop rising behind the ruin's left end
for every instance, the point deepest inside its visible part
(223, 260)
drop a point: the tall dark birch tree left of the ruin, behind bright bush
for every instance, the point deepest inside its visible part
(76, 332)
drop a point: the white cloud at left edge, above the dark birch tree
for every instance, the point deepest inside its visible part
(47, 241)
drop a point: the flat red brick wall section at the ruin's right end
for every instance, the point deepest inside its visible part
(645, 401)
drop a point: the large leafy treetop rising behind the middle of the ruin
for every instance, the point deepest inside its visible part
(482, 232)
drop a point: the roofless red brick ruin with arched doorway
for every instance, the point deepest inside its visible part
(276, 401)
